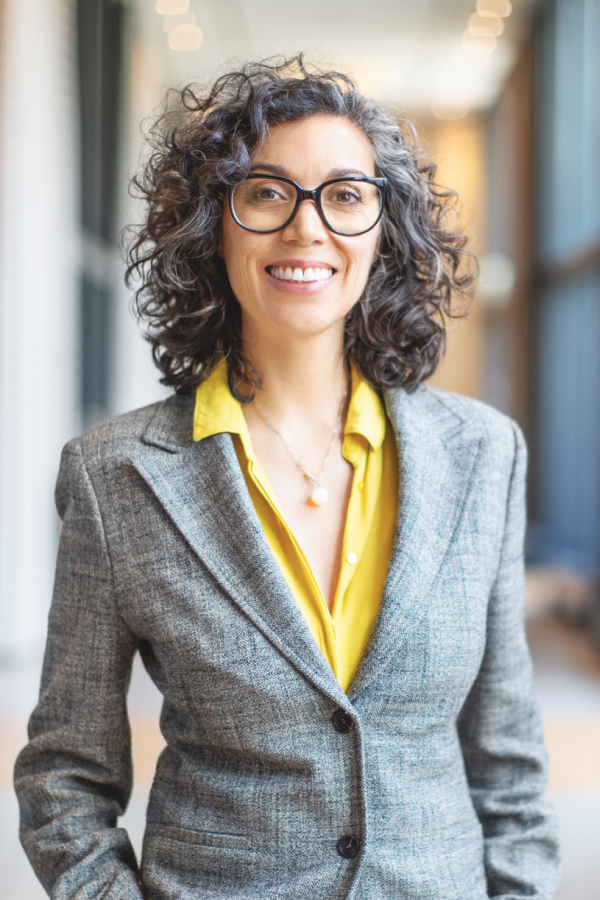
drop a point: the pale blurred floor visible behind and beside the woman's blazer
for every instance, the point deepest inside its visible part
(567, 677)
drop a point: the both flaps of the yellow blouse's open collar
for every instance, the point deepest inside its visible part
(217, 411)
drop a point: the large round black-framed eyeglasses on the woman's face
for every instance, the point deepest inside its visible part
(348, 206)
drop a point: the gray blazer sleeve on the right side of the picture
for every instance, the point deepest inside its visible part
(501, 732)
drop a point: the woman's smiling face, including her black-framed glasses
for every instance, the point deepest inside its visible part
(287, 228)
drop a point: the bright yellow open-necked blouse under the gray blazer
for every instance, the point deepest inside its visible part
(369, 445)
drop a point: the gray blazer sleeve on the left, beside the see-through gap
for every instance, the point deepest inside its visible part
(74, 777)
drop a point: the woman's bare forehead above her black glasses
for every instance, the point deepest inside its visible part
(316, 146)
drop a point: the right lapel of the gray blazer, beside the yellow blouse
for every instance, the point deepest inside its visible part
(437, 456)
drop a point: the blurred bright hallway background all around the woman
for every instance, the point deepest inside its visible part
(506, 99)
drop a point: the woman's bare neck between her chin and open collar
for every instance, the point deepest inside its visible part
(300, 378)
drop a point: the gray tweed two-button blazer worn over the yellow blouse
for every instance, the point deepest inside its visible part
(425, 782)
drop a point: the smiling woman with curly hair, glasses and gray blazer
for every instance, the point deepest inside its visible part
(319, 560)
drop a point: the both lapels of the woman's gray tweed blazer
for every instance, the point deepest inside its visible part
(202, 488)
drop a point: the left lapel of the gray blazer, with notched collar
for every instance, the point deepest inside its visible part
(202, 488)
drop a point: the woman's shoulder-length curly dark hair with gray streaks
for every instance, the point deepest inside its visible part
(201, 145)
